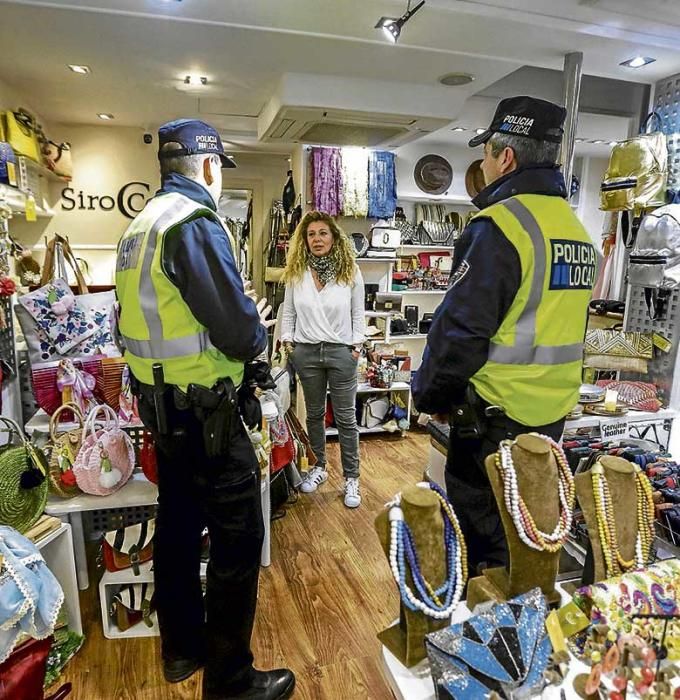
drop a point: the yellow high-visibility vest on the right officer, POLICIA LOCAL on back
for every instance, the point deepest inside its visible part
(535, 359)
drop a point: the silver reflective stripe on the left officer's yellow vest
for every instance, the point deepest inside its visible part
(158, 347)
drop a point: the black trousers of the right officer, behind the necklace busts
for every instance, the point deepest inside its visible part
(469, 490)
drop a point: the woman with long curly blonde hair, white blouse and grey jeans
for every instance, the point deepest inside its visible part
(322, 331)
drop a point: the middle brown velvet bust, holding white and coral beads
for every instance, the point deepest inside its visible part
(537, 480)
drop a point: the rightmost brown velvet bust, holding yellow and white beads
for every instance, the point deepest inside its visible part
(620, 475)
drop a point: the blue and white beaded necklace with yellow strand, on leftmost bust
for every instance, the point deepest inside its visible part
(439, 603)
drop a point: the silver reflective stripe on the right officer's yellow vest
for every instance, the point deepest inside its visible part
(525, 351)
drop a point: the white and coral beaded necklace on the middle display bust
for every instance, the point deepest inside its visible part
(524, 522)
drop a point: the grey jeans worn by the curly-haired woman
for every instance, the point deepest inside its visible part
(330, 366)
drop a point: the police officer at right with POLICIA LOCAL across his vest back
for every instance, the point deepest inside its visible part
(504, 353)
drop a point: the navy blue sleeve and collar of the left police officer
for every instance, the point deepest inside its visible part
(198, 259)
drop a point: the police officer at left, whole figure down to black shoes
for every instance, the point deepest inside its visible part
(189, 329)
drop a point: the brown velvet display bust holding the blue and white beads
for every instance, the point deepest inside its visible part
(406, 638)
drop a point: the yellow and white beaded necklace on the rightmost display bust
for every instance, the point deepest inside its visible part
(615, 564)
